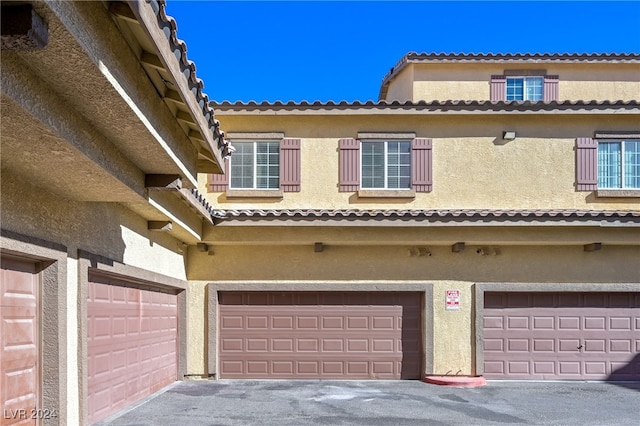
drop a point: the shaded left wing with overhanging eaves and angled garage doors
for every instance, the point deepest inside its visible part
(104, 130)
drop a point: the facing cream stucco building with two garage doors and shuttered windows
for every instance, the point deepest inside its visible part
(481, 218)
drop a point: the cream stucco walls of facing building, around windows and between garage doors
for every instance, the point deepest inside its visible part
(473, 168)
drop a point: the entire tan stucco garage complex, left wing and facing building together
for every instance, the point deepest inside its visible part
(480, 219)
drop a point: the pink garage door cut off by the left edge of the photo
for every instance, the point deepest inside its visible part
(19, 341)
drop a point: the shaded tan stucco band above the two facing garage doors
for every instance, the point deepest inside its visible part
(361, 262)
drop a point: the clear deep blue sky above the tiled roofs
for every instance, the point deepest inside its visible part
(338, 50)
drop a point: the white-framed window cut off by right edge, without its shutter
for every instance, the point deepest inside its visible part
(619, 164)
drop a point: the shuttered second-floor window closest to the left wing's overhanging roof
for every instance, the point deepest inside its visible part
(260, 167)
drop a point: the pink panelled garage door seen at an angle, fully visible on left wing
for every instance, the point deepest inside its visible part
(132, 345)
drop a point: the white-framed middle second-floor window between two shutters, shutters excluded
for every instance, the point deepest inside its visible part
(386, 165)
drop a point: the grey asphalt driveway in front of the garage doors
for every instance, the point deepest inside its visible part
(371, 403)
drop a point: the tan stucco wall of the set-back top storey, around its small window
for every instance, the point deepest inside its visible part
(471, 81)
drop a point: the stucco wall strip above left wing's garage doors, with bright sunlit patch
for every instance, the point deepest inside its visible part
(105, 229)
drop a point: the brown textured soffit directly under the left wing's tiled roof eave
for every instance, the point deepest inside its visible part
(71, 76)
